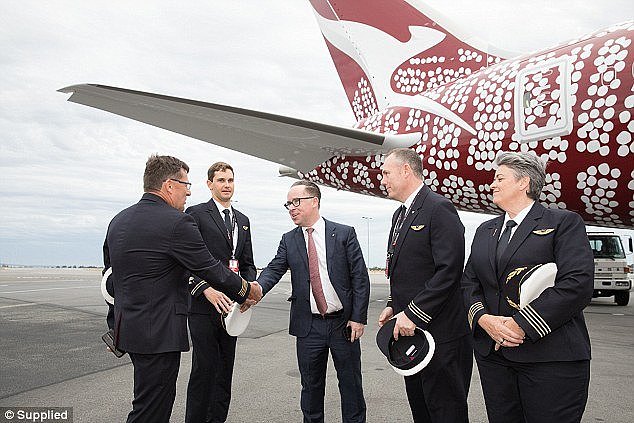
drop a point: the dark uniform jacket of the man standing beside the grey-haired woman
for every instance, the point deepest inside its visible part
(427, 265)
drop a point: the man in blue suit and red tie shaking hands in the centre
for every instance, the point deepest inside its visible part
(330, 294)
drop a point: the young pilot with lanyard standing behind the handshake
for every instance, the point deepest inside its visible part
(227, 234)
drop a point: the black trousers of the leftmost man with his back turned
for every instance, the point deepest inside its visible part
(154, 386)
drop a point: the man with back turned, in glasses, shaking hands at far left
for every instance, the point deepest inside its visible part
(152, 247)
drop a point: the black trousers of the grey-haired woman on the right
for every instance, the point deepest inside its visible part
(533, 392)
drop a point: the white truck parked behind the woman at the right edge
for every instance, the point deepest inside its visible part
(611, 272)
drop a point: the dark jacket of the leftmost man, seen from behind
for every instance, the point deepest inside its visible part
(152, 247)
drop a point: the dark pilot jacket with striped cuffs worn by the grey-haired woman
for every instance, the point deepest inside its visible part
(553, 322)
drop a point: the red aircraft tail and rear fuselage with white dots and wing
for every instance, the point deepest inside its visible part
(413, 80)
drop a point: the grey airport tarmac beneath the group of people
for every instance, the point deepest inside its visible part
(53, 356)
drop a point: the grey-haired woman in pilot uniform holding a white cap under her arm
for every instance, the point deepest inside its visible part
(533, 359)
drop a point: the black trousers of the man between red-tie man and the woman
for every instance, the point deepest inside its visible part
(438, 393)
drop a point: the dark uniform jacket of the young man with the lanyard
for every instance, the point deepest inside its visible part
(212, 228)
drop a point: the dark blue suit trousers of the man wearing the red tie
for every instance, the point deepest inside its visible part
(312, 357)
